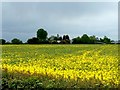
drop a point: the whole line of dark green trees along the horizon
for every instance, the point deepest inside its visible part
(65, 39)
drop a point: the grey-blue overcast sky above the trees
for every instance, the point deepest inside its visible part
(22, 20)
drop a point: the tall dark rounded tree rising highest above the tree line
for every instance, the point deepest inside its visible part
(42, 34)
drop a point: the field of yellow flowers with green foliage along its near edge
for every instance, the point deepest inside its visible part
(60, 66)
